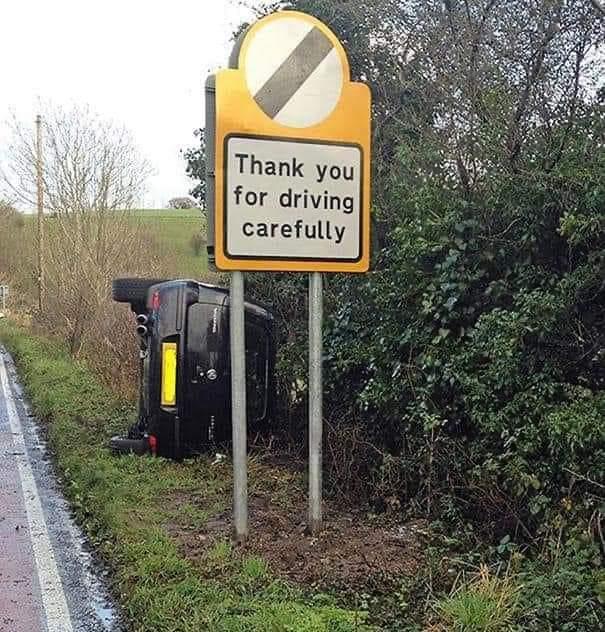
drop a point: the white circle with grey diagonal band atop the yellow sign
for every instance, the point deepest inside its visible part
(293, 71)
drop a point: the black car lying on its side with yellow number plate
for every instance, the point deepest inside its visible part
(185, 380)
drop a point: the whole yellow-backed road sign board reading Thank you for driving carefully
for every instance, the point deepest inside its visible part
(292, 153)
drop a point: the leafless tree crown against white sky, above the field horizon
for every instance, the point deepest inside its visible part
(90, 164)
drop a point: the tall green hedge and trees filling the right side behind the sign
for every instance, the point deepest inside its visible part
(465, 374)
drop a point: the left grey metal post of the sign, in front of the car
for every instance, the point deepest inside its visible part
(238, 408)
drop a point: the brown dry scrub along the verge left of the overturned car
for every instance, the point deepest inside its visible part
(83, 254)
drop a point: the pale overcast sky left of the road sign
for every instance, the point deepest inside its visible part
(140, 63)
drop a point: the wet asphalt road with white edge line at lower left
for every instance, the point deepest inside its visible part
(49, 579)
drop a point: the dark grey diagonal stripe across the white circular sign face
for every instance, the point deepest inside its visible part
(295, 70)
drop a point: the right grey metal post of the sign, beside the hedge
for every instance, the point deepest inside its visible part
(315, 400)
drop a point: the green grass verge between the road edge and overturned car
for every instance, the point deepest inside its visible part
(126, 504)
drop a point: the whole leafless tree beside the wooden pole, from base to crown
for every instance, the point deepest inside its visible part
(92, 175)
